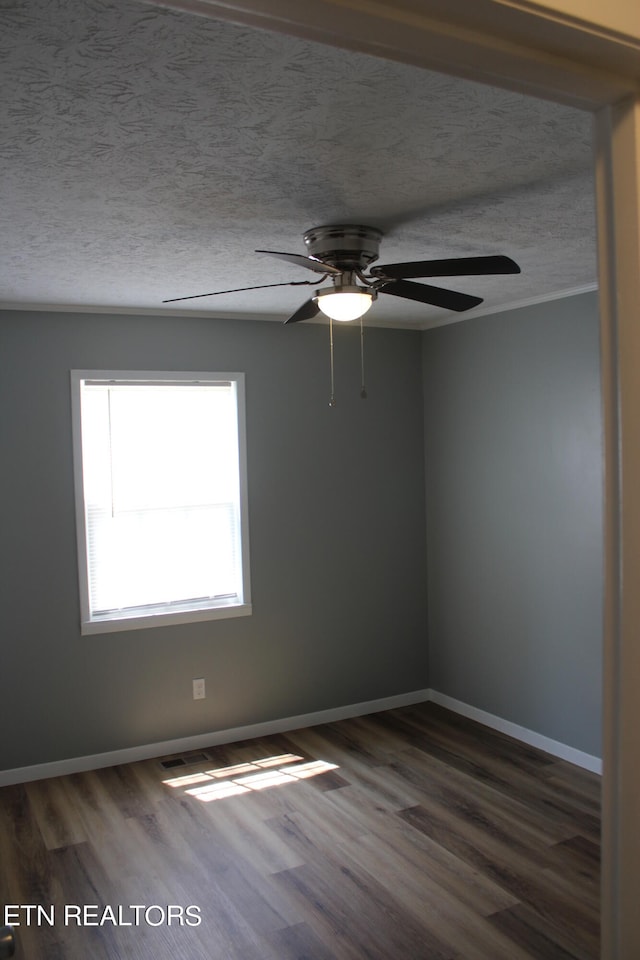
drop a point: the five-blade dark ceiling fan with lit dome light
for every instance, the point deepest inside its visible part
(344, 252)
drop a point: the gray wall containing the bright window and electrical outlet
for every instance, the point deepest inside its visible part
(337, 526)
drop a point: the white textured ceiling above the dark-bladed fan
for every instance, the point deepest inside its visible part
(147, 153)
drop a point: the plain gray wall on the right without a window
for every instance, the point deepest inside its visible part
(514, 516)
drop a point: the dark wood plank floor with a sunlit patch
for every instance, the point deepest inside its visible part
(406, 835)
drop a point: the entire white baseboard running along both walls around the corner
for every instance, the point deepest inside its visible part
(58, 768)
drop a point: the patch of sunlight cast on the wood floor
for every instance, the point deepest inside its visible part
(239, 778)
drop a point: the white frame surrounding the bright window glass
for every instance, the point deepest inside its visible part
(209, 610)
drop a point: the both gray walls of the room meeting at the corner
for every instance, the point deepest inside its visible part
(512, 444)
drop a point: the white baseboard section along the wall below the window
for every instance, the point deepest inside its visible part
(59, 768)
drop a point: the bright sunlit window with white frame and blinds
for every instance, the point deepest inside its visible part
(160, 498)
